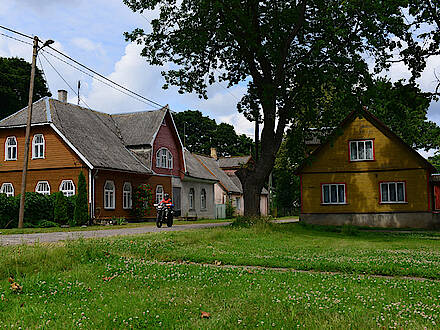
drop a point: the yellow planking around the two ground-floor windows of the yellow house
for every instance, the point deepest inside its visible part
(362, 191)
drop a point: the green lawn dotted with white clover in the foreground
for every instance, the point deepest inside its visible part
(64, 285)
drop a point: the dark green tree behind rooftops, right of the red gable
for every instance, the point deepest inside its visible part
(201, 133)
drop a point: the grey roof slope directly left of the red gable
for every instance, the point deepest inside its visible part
(139, 127)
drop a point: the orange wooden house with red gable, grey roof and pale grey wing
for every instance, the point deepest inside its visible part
(116, 153)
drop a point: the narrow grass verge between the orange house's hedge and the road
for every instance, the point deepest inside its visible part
(14, 231)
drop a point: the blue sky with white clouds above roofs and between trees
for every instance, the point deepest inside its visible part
(91, 31)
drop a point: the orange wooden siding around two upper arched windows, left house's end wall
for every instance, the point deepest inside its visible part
(57, 154)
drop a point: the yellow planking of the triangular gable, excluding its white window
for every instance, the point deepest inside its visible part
(389, 153)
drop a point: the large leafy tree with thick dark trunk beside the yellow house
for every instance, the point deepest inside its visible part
(288, 52)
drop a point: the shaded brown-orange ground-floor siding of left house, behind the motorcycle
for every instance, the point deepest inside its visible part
(119, 178)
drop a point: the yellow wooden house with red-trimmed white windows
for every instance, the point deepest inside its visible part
(366, 175)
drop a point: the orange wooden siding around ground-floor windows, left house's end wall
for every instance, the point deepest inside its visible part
(53, 176)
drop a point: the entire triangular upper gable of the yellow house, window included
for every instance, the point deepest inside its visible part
(387, 152)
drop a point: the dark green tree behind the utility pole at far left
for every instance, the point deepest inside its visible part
(14, 85)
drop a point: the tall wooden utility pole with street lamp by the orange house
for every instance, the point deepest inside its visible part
(28, 129)
